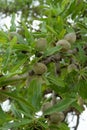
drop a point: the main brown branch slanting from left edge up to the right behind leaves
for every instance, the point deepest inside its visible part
(53, 58)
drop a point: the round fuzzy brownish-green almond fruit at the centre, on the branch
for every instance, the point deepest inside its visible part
(39, 68)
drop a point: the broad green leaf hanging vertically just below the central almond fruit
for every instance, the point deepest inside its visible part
(34, 93)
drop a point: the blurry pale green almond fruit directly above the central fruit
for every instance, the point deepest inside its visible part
(41, 44)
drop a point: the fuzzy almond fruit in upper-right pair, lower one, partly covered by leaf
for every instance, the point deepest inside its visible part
(64, 44)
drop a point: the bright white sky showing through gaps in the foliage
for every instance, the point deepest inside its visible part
(83, 118)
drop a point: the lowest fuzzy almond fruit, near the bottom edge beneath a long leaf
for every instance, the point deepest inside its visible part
(56, 118)
